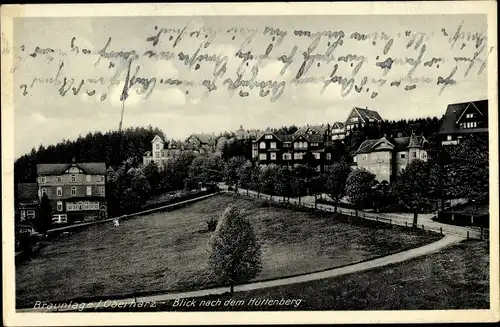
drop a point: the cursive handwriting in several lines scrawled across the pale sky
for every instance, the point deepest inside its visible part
(236, 60)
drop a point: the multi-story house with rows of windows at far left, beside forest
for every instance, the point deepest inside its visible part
(77, 191)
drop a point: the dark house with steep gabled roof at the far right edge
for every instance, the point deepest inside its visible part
(462, 120)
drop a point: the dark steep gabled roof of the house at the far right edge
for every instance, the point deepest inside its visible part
(455, 110)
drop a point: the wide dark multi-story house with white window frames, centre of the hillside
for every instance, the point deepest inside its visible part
(289, 150)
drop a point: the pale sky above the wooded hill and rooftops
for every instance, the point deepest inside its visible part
(43, 116)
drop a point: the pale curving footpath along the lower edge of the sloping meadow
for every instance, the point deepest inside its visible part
(353, 268)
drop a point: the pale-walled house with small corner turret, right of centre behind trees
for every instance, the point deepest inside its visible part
(387, 157)
